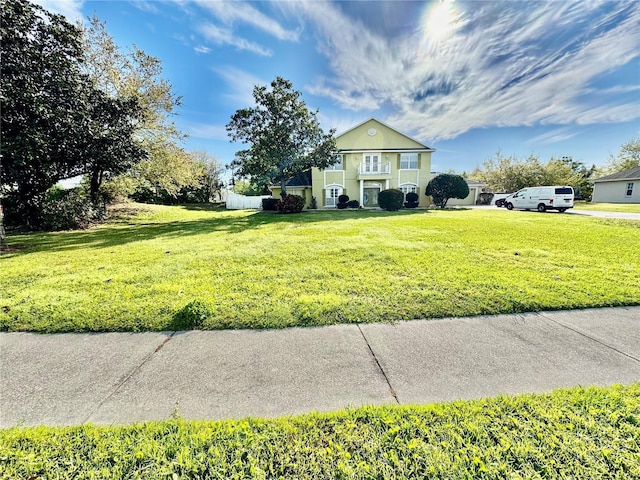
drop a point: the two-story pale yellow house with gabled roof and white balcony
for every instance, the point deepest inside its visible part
(372, 157)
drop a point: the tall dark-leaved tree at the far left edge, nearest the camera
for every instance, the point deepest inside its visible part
(44, 104)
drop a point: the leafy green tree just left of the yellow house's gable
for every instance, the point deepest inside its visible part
(284, 138)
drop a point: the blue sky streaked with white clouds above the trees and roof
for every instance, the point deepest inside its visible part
(468, 78)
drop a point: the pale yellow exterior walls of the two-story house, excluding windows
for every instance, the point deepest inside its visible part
(390, 145)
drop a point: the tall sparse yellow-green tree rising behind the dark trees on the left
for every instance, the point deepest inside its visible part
(135, 76)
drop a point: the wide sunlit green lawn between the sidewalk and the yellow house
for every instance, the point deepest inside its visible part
(175, 268)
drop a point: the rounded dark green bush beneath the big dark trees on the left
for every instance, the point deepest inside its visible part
(68, 210)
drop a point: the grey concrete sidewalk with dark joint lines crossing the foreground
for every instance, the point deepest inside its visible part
(107, 378)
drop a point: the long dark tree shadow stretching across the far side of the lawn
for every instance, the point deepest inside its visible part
(121, 231)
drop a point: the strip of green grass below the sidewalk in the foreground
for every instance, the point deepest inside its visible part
(570, 433)
